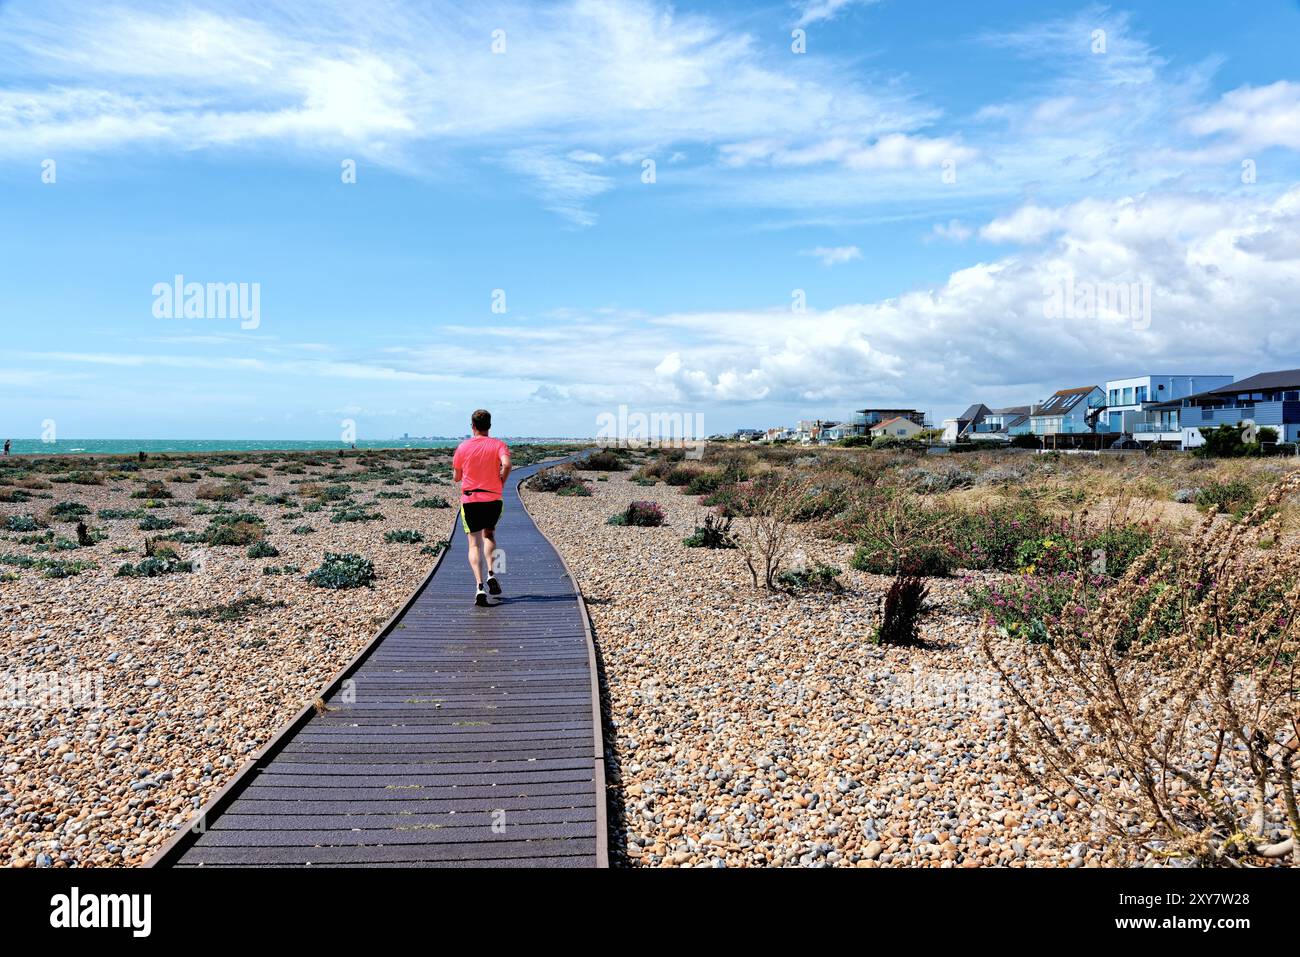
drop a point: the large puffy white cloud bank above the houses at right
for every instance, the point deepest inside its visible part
(1224, 274)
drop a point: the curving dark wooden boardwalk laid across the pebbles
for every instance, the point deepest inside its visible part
(460, 737)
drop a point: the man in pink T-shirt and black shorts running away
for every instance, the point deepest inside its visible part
(482, 465)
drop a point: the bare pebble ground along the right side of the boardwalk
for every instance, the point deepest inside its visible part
(765, 730)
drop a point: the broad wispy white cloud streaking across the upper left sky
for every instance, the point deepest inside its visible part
(574, 84)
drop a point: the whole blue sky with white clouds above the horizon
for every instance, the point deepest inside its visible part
(925, 174)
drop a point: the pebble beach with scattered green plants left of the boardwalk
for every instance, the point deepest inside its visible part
(190, 673)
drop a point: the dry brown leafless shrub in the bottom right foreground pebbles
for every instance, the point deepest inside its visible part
(1172, 708)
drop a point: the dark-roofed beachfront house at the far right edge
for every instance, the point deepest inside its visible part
(1268, 399)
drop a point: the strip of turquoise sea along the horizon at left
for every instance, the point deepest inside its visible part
(131, 447)
